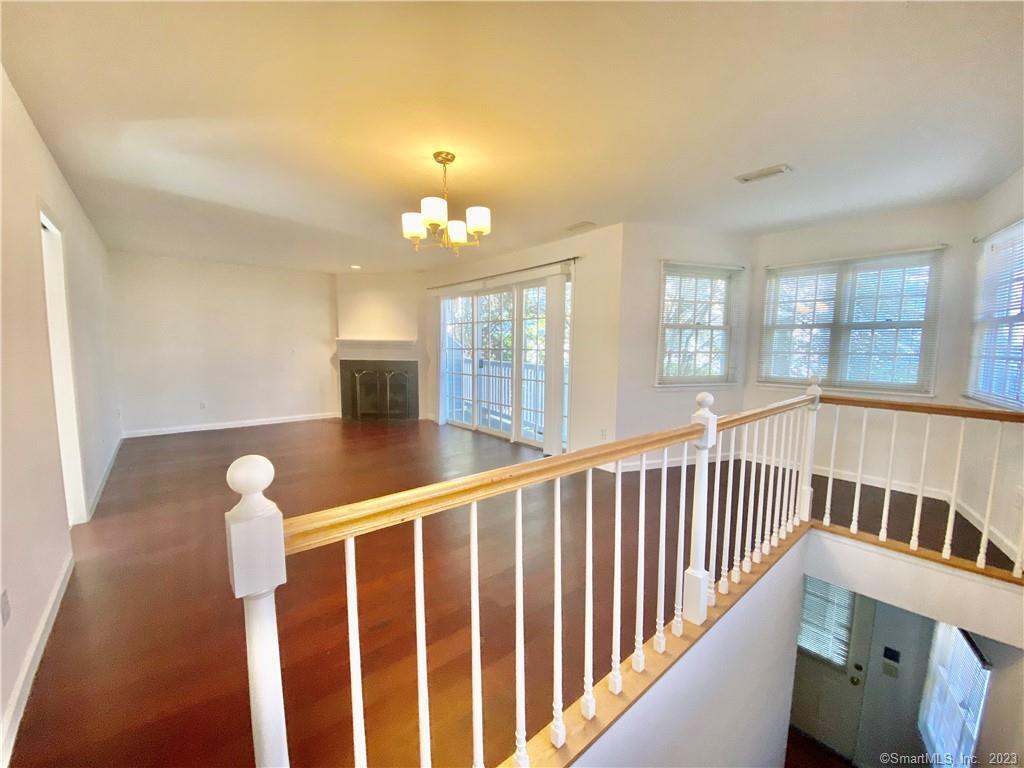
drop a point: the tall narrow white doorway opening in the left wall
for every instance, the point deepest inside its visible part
(63, 372)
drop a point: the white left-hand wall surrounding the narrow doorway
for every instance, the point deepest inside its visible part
(36, 545)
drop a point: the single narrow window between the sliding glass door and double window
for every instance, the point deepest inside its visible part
(694, 334)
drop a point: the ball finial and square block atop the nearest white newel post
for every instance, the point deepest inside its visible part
(255, 530)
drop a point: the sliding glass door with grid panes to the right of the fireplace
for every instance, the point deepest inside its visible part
(495, 374)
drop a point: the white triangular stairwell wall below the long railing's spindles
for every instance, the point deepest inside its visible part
(713, 708)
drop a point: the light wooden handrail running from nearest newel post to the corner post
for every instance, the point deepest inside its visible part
(330, 526)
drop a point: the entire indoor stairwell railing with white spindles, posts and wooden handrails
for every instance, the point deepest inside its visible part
(774, 497)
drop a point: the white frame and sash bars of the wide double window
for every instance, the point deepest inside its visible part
(836, 357)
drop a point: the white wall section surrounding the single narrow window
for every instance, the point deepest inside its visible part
(643, 407)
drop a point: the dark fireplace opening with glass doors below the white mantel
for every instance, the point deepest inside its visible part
(379, 390)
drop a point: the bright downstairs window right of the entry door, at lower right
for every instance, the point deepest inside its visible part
(955, 695)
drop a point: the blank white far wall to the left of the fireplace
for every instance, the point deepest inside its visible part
(252, 344)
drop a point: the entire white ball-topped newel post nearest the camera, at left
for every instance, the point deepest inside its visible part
(257, 567)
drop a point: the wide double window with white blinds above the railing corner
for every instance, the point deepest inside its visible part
(869, 324)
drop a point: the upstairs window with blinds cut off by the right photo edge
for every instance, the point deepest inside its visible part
(998, 360)
